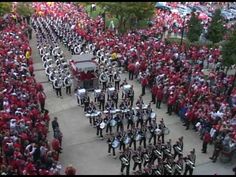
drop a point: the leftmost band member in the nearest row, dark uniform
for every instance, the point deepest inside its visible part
(125, 161)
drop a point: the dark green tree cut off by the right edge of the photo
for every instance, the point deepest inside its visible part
(229, 50)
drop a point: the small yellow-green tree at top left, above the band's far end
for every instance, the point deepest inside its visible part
(24, 9)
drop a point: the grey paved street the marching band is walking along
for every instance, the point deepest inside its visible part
(88, 154)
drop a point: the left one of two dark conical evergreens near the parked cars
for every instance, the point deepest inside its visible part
(195, 28)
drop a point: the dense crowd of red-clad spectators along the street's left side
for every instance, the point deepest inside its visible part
(24, 121)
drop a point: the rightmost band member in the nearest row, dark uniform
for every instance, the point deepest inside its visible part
(190, 163)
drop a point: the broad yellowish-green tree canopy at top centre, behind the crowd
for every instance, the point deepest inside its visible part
(127, 11)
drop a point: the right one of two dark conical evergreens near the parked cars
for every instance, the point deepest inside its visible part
(216, 29)
